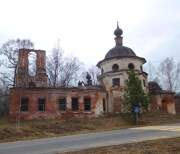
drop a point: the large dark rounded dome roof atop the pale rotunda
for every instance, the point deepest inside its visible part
(120, 51)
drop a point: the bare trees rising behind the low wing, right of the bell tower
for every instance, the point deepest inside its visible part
(62, 71)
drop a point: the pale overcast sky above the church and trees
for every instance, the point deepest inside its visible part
(85, 27)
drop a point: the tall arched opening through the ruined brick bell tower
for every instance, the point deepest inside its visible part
(32, 63)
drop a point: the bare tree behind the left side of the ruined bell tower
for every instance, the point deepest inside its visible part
(9, 57)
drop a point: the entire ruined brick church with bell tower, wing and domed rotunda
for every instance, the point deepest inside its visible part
(31, 98)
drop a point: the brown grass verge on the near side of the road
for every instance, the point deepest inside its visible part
(162, 146)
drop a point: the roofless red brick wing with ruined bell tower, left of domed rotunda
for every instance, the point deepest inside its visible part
(31, 98)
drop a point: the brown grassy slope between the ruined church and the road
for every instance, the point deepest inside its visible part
(51, 128)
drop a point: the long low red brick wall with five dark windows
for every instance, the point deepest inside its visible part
(51, 96)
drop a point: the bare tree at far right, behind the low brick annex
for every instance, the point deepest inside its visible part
(169, 74)
